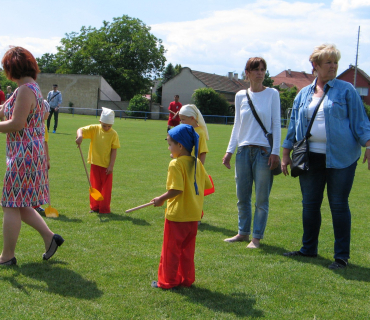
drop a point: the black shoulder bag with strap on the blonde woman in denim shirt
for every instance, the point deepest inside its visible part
(300, 155)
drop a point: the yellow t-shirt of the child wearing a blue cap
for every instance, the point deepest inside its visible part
(187, 206)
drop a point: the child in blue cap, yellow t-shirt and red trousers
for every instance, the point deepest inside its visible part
(186, 182)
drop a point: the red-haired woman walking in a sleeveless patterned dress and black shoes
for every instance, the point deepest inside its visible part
(26, 178)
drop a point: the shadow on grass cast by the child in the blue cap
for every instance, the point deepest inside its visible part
(238, 304)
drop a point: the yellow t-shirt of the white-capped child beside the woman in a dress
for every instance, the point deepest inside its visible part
(101, 144)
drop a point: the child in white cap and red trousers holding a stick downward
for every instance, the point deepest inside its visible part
(102, 156)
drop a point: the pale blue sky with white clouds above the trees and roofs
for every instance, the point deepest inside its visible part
(214, 36)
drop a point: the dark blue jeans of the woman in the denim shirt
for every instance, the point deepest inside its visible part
(339, 184)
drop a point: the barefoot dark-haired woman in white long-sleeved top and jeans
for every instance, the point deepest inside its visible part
(254, 159)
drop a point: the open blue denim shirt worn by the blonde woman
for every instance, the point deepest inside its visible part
(346, 123)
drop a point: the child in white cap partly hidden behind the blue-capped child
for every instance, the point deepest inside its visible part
(190, 114)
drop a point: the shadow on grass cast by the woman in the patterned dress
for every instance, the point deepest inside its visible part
(61, 281)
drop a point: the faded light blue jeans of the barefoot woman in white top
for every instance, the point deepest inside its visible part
(251, 164)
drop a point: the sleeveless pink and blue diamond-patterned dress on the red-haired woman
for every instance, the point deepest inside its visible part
(26, 179)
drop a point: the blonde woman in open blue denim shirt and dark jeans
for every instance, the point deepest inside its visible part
(340, 128)
